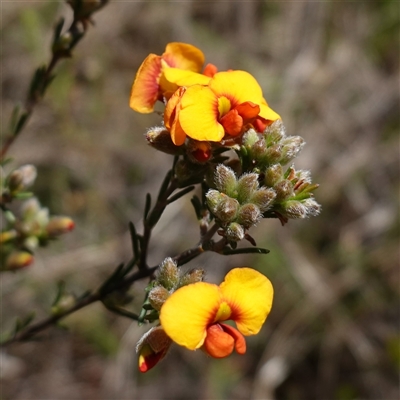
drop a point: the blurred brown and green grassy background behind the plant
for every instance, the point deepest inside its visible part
(331, 70)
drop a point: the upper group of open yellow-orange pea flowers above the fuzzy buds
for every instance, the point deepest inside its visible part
(208, 107)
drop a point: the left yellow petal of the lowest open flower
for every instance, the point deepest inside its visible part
(188, 311)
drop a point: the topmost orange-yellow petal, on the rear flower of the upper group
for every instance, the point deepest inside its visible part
(184, 56)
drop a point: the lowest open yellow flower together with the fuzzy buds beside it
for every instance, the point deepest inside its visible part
(193, 312)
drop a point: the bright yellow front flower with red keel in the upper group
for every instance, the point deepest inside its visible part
(225, 106)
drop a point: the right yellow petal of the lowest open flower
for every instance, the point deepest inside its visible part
(250, 294)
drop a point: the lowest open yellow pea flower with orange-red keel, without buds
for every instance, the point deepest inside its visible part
(193, 316)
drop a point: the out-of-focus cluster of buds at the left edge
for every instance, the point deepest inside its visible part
(33, 227)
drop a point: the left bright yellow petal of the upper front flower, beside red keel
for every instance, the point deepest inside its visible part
(199, 113)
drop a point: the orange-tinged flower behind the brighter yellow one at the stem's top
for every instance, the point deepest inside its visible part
(150, 84)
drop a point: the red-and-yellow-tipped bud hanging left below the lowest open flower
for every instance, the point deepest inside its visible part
(152, 347)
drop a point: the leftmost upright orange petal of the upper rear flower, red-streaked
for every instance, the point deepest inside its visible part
(144, 92)
